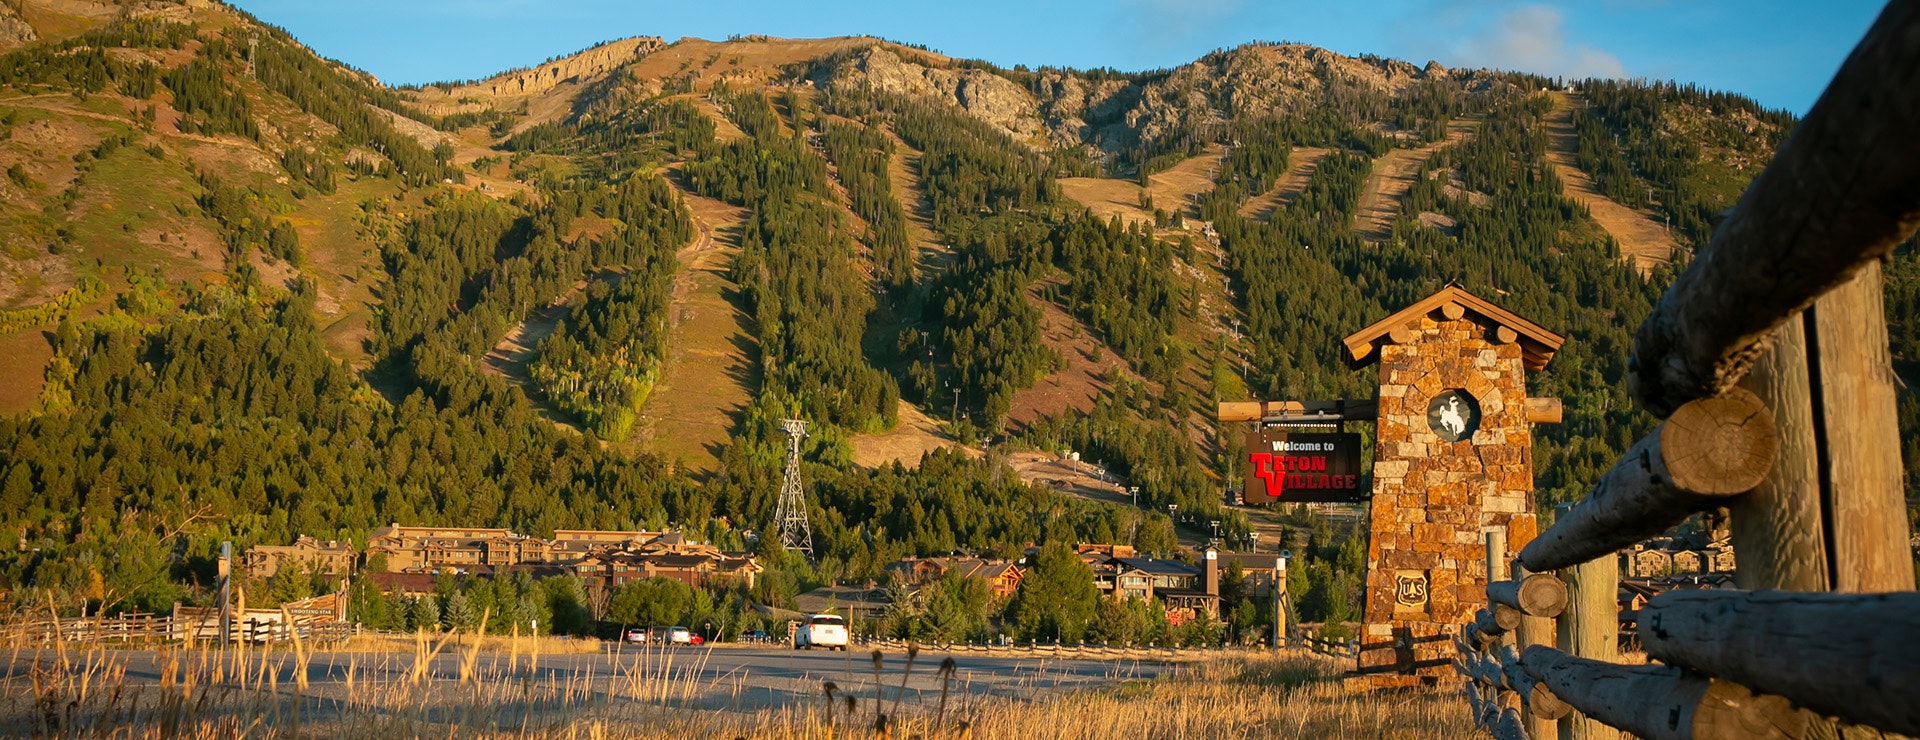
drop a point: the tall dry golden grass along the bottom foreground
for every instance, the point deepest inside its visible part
(441, 687)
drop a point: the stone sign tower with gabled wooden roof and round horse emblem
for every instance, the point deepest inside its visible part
(1452, 460)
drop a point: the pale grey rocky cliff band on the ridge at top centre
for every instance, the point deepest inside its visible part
(984, 95)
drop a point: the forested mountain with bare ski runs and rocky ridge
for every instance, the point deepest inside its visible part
(249, 293)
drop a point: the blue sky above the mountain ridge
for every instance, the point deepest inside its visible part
(1775, 51)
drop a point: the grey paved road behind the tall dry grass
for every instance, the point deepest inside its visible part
(702, 678)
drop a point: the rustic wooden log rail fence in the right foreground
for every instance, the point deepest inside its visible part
(1769, 364)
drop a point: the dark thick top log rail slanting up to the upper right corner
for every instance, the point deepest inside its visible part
(1836, 197)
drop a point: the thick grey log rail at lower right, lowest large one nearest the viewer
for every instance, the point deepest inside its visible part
(1850, 656)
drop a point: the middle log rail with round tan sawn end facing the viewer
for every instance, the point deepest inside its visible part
(1704, 453)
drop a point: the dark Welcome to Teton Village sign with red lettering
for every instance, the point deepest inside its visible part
(1303, 468)
